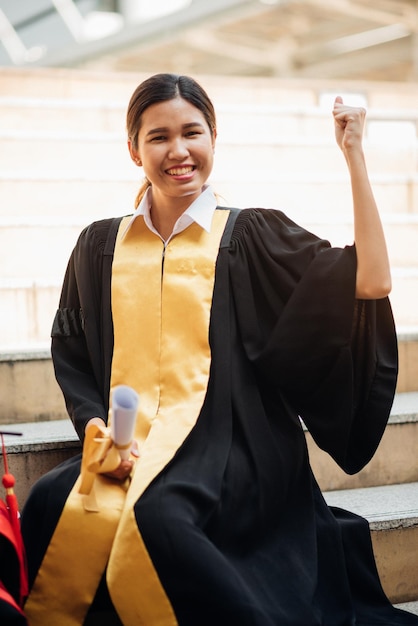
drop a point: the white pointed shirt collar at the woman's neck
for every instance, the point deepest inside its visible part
(200, 211)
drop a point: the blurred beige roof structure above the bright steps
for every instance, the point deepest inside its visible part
(343, 39)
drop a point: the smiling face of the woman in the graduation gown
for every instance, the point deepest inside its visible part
(175, 147)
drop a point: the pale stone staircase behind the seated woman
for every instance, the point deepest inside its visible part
(63, 163)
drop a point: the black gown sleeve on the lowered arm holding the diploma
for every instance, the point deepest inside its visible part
(82, 331)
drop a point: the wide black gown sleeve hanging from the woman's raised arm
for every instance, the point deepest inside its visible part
(334, 358)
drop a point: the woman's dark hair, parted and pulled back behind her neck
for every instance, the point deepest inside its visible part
(160, 88)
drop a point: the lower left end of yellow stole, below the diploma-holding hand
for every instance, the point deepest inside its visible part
(76, 557)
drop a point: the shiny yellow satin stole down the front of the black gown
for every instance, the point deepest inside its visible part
(161, 310)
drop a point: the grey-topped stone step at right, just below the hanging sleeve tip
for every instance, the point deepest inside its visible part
(392, 512)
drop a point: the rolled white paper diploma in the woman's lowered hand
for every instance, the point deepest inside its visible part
(125, 402)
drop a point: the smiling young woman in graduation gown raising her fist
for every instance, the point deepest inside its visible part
(230, 325)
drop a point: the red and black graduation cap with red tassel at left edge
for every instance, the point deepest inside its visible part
(13, 571)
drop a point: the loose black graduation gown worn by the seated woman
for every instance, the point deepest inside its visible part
(235, 524)
